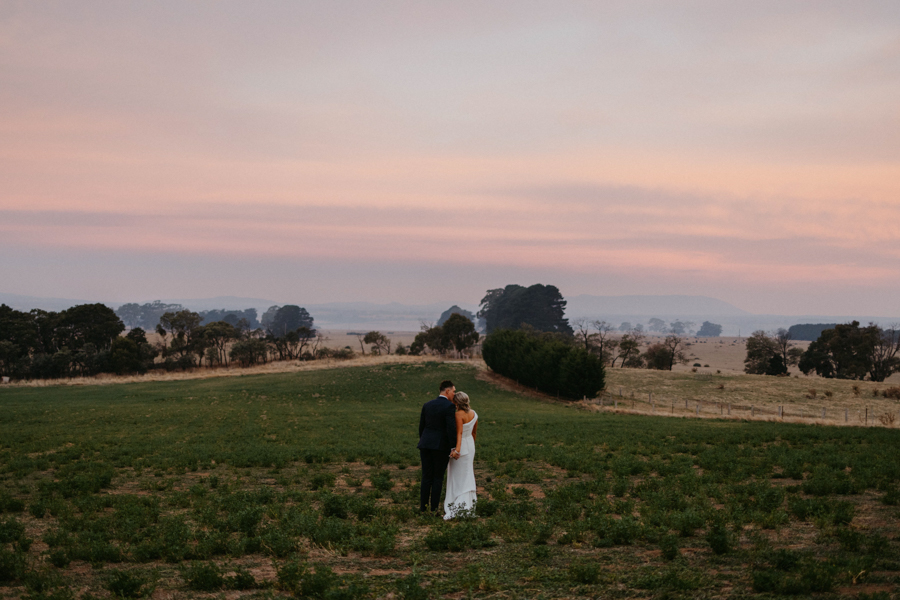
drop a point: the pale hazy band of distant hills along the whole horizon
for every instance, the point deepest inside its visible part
(396, 316)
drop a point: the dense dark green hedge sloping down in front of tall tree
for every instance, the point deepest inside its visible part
(544, 362)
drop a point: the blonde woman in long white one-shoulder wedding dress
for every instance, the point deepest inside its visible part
(460, 496)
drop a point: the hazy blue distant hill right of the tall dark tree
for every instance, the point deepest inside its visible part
(649, 306)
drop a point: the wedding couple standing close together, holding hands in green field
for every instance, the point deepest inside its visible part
(447, 429)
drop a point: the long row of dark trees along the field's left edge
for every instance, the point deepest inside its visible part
(86, 340)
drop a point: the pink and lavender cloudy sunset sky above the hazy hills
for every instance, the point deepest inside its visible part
(416, 152)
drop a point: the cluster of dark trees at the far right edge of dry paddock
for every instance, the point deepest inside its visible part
(841, 351)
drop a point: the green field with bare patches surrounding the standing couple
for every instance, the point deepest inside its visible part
(306, 484)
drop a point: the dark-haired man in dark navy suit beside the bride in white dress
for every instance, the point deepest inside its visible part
(437, 437)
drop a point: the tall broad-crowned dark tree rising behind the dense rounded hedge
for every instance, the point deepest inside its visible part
(540, 306)
